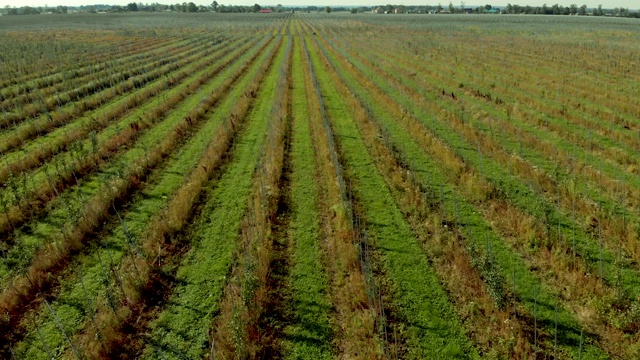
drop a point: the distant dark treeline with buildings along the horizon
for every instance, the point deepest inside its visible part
(381, 9)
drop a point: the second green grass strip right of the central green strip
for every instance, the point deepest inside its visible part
(496, 263)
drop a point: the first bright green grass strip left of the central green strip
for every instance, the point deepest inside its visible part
(182, 328)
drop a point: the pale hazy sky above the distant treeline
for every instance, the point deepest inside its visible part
(631, 4)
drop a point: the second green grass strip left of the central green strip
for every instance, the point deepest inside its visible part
(71, 306)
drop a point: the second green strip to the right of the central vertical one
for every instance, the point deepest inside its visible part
(533, 295)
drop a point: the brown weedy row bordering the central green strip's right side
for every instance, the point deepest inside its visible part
(357, 315)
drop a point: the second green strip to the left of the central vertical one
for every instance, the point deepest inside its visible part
(114, 246)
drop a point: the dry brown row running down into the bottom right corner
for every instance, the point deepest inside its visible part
(521, 231)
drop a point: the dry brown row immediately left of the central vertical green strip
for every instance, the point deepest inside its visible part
(239, 331)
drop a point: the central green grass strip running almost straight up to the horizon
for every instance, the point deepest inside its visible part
(310, 335)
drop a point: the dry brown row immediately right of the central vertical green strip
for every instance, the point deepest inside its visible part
(354, 320)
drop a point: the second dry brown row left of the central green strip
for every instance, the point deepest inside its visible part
(160, 242)
